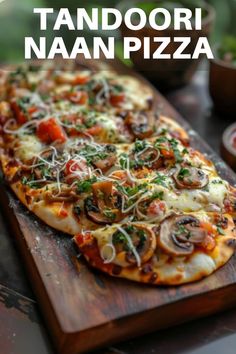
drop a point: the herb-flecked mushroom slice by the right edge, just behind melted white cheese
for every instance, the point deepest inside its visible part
(190, 178)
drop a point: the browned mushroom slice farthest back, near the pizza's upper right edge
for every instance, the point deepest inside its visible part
(142, 124)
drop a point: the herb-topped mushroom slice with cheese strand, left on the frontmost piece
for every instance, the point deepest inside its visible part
(134, 243)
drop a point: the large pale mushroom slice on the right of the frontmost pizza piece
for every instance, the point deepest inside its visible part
(179, 233)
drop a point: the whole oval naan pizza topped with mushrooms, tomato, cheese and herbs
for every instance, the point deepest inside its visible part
(88, 151)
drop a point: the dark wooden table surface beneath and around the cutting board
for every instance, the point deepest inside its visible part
(22, 329)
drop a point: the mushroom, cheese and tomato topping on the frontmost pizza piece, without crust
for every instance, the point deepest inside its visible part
(180, 235)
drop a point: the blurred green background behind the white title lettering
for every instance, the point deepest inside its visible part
(18, 21)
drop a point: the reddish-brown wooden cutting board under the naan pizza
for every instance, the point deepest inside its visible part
(85, 309)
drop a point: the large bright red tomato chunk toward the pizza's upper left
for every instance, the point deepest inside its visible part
(49, 131)
